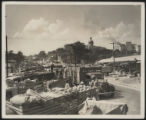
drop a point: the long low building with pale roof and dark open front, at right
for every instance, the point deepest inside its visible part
(127, 64)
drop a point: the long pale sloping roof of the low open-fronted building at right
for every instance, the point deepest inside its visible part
(121, 59)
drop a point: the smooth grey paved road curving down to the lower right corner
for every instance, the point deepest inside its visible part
(129, 96)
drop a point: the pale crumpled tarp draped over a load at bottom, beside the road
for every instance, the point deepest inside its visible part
(102, 107)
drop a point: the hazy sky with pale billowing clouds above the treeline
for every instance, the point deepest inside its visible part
(32, 28)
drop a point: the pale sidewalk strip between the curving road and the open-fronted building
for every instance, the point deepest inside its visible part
(131, 83)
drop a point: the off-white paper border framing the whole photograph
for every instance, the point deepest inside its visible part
(74, 116)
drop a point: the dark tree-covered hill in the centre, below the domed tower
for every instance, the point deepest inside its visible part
(78, 53)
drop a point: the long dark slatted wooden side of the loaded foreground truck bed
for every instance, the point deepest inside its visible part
(63, 104)
